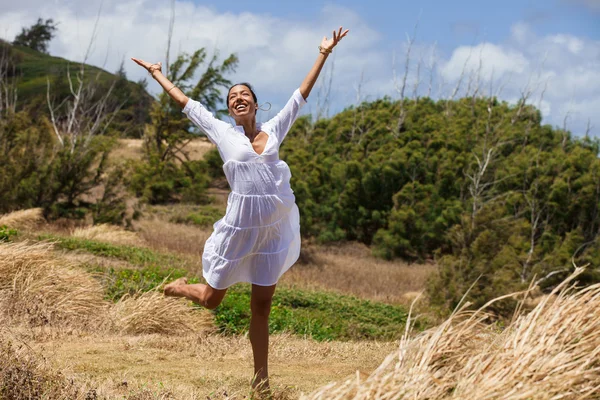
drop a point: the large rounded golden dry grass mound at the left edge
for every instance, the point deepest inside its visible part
(38, 286)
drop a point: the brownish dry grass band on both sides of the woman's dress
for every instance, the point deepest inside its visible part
(348, 269)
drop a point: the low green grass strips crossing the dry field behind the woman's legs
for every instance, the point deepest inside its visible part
(319, 315)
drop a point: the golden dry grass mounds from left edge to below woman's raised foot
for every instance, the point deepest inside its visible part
(39, 288)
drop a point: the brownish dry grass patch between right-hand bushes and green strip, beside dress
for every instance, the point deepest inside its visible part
(351, 269)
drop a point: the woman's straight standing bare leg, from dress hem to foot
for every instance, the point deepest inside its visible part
(260, 305)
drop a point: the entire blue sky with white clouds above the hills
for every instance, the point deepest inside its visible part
(548, 49)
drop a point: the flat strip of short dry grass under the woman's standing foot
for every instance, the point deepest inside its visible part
(205, 365)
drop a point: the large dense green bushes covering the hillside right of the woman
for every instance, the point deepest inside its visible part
(479, 185)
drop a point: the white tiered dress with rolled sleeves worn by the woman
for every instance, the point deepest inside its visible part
(258, 239)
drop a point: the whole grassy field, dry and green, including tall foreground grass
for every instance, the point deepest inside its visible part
(82, 316)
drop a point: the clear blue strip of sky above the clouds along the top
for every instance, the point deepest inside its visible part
(448, 22)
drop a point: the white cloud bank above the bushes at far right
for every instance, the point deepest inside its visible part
(561, 71)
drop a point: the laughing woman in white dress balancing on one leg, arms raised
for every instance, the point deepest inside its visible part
(259, 237)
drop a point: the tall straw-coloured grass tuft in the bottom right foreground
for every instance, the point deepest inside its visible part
(552, 352)
